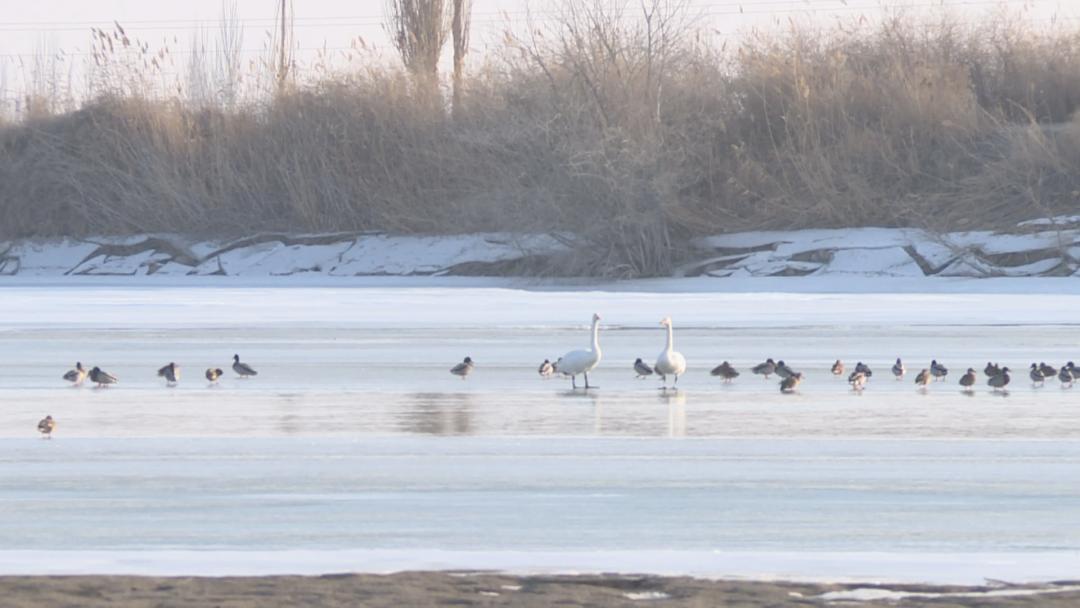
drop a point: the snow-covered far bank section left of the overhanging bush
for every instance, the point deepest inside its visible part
(274, 255)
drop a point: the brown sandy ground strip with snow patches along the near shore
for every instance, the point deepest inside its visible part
(450, 589)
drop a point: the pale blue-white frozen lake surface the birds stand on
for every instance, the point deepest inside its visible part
(355, 449)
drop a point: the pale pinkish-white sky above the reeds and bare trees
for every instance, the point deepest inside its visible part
(28, 26)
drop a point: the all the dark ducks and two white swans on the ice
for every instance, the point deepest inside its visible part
(669, 362)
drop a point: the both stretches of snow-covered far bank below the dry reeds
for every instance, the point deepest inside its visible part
(1047, 249)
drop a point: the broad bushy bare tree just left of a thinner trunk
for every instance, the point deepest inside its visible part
(418, 30)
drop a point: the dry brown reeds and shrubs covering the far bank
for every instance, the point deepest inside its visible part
(626, 133)
